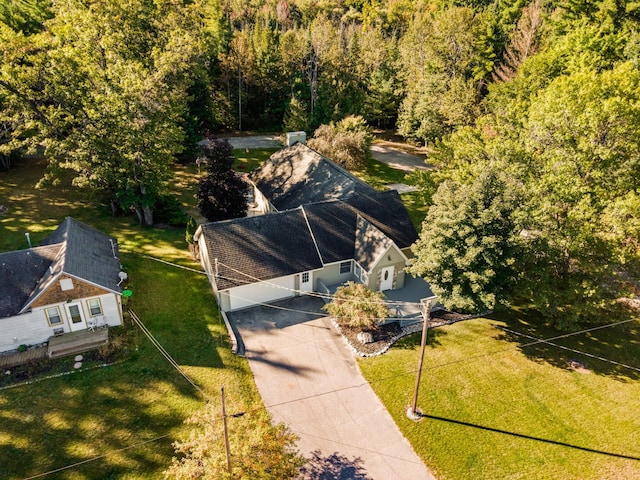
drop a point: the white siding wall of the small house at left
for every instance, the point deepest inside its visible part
(32, 327)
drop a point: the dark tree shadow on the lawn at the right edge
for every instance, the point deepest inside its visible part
(618, 346)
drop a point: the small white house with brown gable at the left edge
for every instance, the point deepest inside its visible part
(69, 282)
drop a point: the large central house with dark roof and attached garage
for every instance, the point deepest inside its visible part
(320, 227)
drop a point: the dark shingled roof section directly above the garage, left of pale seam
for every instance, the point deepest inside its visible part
(260, 248)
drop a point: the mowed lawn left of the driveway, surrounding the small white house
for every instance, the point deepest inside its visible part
(113, 410)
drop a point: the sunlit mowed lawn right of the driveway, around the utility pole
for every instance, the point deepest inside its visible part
(498, 409)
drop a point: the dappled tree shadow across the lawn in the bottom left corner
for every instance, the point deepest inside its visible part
(67, 420)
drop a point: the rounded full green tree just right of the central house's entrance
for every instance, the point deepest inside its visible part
(467, 248)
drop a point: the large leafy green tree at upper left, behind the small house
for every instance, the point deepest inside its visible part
(106, 94)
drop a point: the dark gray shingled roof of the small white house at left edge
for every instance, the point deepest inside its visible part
(74, 249)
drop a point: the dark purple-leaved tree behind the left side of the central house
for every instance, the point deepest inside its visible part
(222, 193)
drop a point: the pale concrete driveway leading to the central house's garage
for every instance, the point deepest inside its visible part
(309, 380)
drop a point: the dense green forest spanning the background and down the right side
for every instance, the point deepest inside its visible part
(530, 111)
